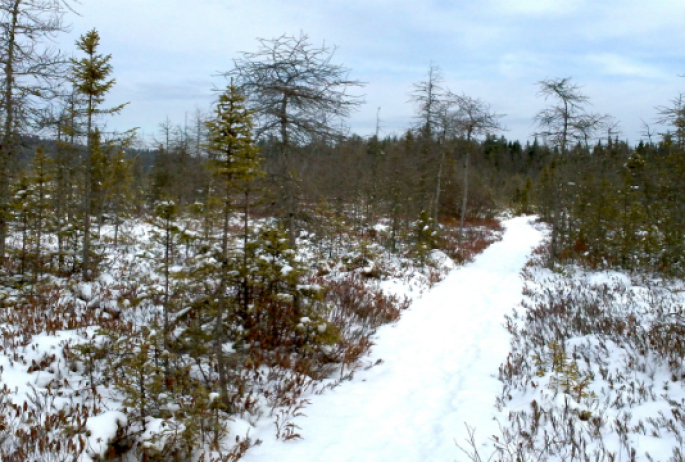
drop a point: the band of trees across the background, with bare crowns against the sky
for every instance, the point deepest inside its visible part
(608, 202)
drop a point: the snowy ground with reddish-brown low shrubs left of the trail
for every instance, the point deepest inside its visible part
(60, 397)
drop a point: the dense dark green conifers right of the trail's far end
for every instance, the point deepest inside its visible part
(616, 206)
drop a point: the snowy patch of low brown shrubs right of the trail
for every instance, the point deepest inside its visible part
(595, 371)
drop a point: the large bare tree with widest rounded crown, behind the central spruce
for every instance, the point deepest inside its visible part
(297, 94)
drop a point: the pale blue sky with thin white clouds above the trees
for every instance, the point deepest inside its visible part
(627, 54)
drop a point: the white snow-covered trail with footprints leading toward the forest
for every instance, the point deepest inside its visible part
(438, 369)
